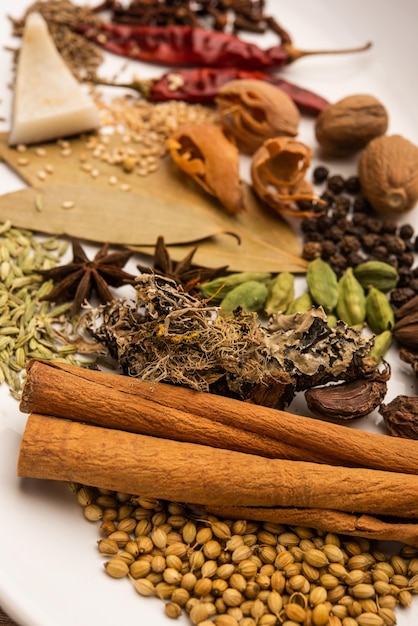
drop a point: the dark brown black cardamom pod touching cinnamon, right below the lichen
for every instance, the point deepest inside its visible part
(346, 401)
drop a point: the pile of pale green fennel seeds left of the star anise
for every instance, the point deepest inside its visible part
(29, 327)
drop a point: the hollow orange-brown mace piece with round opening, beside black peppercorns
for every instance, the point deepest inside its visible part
(278, 168)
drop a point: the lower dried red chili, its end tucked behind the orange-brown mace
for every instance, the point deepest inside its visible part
(201, 85)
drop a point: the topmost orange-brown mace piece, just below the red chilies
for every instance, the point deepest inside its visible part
(253, 111)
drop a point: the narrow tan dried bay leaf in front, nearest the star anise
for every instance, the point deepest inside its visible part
(98, 214)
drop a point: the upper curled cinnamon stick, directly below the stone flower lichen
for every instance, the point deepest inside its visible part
(90, 395)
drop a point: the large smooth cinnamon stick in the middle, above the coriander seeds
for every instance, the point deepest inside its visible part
(58, 449)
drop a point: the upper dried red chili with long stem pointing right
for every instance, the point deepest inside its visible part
(188, 46)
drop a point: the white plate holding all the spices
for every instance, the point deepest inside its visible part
(50, 572)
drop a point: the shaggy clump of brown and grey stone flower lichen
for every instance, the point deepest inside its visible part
(168, 335)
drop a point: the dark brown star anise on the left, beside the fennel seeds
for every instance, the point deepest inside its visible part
(79, 279)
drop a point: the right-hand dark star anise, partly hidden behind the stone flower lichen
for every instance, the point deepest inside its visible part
(183, 272)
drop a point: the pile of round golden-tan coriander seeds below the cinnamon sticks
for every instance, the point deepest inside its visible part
(244, 573)
